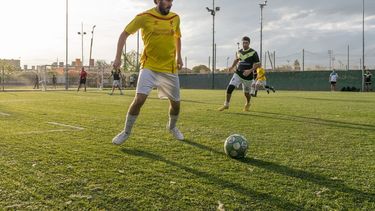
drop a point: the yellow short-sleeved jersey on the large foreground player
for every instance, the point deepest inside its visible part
(159, 35)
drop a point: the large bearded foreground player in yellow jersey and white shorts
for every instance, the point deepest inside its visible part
(160, 61)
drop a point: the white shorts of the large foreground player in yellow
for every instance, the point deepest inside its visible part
(168, 84)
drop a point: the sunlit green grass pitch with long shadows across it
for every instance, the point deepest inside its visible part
(308, 150)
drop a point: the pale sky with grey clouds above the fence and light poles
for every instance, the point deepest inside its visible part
(34, 30)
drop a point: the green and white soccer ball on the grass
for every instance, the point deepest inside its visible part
(236, 146)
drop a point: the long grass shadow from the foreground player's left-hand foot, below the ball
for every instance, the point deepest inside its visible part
(225, 184)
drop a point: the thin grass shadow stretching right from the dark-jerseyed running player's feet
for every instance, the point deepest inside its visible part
(312, 120)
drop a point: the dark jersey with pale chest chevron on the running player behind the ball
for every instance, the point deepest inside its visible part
(247, 58)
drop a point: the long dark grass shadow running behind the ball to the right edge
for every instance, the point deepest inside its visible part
(335, 185)
